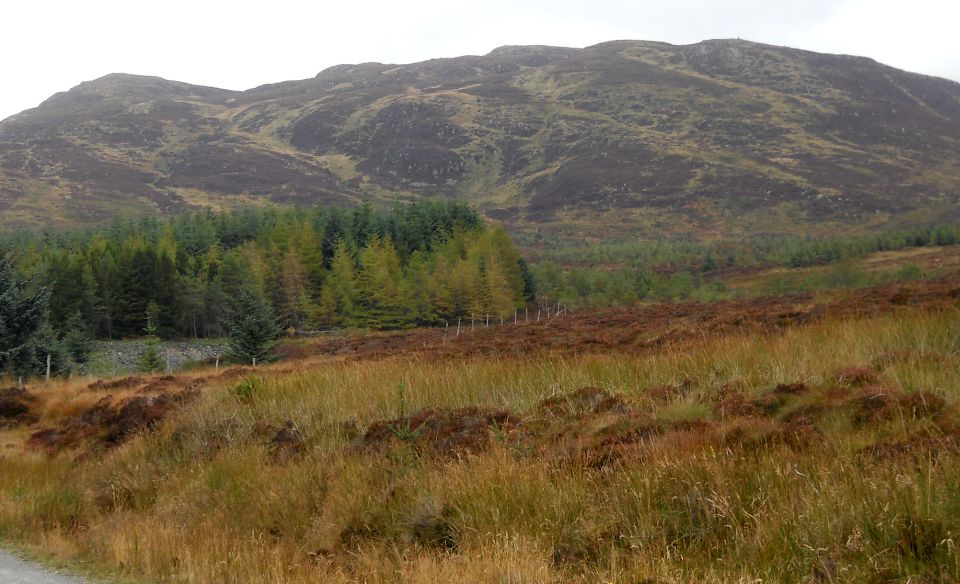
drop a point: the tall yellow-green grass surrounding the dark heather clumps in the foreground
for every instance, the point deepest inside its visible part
(203, 500)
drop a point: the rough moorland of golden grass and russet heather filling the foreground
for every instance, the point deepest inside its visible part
(768, 446)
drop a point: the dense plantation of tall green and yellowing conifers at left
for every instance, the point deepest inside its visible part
(414, 264)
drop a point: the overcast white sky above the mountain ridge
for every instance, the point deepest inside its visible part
(52, 45)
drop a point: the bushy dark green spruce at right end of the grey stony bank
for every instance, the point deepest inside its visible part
(253, 328)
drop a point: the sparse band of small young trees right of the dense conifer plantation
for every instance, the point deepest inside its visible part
(621, 273)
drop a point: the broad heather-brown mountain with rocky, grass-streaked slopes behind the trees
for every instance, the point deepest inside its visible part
(620, 140)
